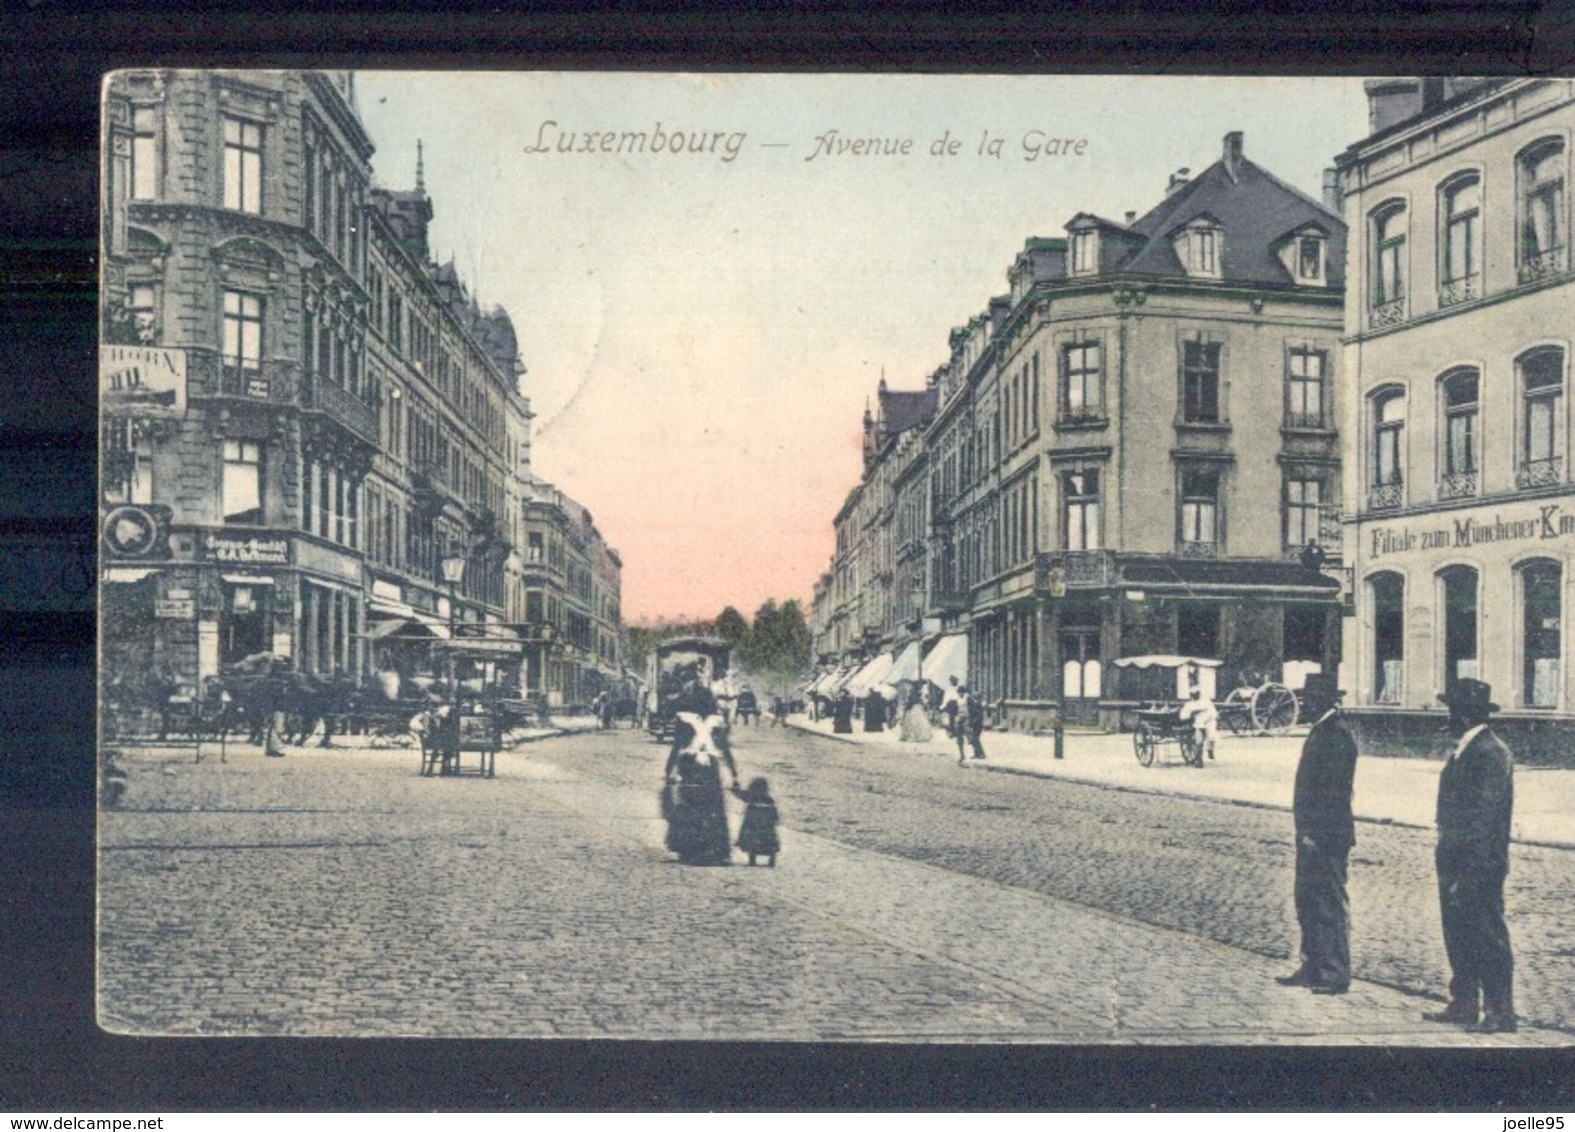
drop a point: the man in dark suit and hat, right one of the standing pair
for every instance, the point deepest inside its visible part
(1475, 804)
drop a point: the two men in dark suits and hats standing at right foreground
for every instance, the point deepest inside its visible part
(1472, 859)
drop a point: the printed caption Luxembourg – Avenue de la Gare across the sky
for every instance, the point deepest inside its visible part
(727, 146)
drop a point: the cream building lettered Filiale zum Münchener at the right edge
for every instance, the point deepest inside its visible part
(1459, 331)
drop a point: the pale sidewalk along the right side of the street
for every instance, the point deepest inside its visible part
(1251, 771)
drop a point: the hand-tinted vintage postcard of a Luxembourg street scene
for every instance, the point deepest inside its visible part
(837, 558)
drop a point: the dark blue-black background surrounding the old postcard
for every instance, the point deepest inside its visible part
(54, 1059)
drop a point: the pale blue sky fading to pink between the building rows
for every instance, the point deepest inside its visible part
(703, 330)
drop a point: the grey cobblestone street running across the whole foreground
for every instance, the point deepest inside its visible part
(339, 893)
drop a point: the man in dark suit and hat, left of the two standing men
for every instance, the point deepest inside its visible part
(1325, 834)
